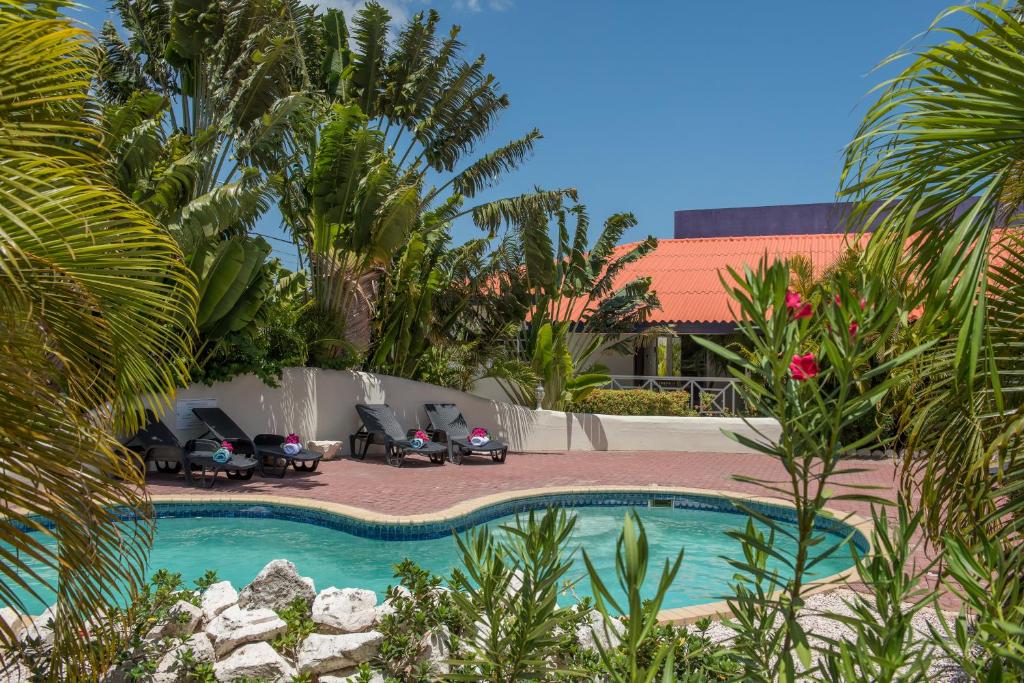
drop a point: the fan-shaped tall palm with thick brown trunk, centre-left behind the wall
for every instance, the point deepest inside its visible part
(425, 110)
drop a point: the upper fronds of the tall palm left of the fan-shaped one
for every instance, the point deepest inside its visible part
(234, 73)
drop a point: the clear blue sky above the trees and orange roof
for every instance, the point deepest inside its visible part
(654, 107)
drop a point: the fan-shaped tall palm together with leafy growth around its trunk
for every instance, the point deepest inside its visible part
(375, 176)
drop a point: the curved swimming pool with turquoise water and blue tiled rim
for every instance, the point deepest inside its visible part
(237, 540)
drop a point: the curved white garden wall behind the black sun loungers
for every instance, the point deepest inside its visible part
(318, 405)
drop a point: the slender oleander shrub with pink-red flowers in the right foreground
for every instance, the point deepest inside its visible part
(818, 370)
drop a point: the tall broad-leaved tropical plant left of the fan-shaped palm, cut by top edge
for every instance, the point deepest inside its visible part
(198, 105)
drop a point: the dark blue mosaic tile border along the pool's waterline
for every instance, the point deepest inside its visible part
(440, 529)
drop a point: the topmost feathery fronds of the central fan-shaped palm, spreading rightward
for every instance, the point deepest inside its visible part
(434, 109)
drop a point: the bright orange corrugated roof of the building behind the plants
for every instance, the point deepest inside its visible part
(686, 273)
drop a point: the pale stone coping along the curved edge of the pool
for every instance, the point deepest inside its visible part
(681, 616)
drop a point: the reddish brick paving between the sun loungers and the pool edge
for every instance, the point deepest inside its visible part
(420, 487)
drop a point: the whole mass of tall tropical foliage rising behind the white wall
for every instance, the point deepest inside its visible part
(370, 149)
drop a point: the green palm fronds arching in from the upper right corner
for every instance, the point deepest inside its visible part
(938, 151)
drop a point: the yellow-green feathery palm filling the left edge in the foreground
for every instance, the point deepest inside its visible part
(98, 307)
